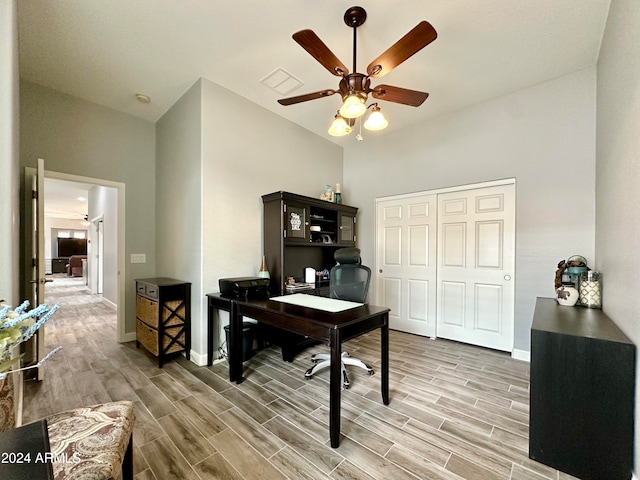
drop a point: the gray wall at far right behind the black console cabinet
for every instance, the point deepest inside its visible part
(618, 175)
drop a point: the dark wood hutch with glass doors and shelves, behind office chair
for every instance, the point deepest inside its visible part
(302, 232)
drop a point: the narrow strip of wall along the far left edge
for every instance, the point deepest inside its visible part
(9, 159)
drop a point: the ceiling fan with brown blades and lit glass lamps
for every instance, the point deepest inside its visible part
(354, 88)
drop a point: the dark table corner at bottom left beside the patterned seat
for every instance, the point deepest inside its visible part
(23, 453)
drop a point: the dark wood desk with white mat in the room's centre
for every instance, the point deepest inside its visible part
(327, 327)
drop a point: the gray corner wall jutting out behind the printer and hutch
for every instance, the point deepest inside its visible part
(213, 167)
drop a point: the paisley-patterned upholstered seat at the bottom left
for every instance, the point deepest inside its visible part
(93, 443)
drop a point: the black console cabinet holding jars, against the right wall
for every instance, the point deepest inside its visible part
(582, 392)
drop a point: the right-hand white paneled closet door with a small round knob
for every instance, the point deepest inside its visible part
(476, 260)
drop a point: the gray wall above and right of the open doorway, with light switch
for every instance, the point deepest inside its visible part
(81, 138)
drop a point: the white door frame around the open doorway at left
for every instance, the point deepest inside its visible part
(121, 263)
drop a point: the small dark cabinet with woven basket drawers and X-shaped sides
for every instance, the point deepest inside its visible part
(163, 316)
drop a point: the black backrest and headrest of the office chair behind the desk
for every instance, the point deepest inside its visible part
(349, 280)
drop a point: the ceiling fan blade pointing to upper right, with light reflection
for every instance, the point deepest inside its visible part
(414, 41)
